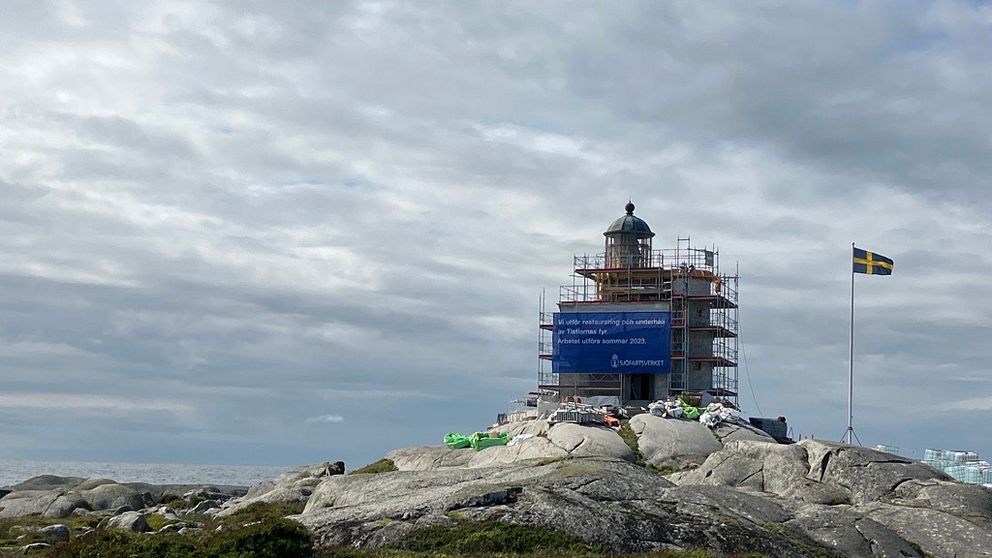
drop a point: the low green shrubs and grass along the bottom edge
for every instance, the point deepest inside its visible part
(261, 531)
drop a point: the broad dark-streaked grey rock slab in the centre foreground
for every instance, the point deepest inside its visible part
(611, 502)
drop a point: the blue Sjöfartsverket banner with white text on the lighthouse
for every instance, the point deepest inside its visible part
(612, 342)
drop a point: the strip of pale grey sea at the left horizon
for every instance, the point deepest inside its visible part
(15, 471)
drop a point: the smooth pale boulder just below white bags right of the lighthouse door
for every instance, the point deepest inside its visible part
(673, 442)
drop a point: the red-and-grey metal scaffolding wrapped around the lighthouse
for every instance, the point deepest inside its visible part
(688, 281)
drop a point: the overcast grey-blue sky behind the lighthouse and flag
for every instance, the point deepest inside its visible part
(283, 233)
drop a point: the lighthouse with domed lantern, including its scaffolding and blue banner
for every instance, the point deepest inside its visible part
(639, 324)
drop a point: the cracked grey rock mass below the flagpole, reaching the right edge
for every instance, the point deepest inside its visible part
(860, 501)
